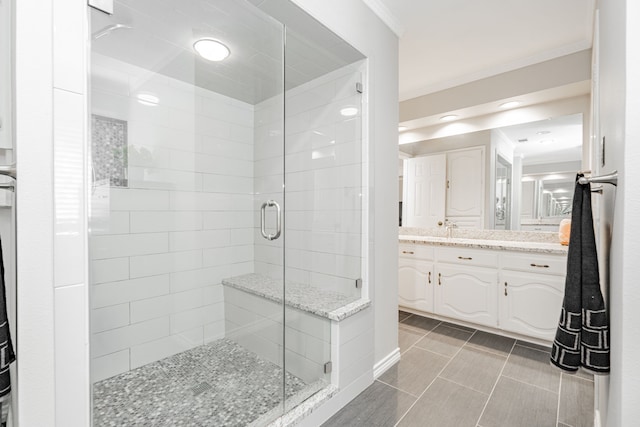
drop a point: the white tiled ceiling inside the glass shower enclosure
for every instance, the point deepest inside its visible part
(163, 33)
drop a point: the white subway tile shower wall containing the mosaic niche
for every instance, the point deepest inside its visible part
(160, 248)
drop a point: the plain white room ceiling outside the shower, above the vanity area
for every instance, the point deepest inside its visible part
(447, 43)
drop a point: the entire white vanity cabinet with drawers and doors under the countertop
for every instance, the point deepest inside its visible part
(519, 292)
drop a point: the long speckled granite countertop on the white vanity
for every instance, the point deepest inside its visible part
(506, 245)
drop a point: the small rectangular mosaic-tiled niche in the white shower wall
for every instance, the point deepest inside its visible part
(109, 150)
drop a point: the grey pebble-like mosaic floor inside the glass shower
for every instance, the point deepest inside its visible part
(217, 384)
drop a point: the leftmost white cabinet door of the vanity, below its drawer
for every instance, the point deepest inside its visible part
(415, 284)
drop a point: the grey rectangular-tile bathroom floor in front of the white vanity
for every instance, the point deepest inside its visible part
(453, 376)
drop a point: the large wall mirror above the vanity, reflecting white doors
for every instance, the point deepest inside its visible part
(528, 173)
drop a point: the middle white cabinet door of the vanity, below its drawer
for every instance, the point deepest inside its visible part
(466, 293)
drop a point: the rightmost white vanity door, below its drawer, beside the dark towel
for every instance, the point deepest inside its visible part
(530, 303)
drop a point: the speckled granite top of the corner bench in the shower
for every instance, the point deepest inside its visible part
(330, 304)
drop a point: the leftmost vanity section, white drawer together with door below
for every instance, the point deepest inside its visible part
(415, 277)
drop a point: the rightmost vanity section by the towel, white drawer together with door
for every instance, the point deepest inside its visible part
(531, 293)
